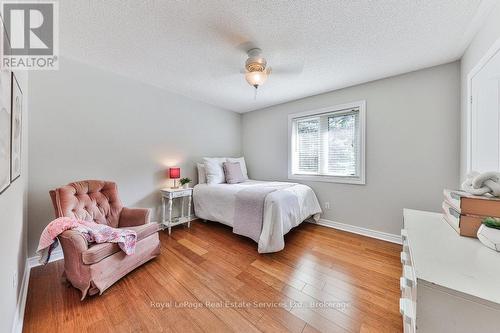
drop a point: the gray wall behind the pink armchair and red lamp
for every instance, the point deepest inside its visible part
(87, 123)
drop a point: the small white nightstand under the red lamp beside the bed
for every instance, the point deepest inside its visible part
(167, 198)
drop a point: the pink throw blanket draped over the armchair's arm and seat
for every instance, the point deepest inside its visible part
(93, 232)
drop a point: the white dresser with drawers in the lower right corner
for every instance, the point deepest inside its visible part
(450, 283)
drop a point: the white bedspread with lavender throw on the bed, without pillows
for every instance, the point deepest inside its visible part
(282, 205)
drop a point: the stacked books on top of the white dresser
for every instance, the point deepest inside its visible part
(465, 212)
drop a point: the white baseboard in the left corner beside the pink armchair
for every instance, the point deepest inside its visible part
(17, 325)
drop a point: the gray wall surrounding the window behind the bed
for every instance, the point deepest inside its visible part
(412, 146)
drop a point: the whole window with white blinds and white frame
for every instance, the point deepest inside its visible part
(328, 144)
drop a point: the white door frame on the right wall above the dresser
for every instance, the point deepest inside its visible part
(492, 51)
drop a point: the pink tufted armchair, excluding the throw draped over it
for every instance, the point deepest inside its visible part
(92, 268)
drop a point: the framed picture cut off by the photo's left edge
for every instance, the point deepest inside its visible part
(5, 122)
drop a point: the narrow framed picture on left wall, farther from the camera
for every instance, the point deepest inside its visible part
(16, 129)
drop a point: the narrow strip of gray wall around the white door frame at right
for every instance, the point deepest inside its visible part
(484, 39)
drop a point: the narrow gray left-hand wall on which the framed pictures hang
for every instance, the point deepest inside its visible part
(13, 205)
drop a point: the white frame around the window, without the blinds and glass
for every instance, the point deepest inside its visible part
(341, 108)
